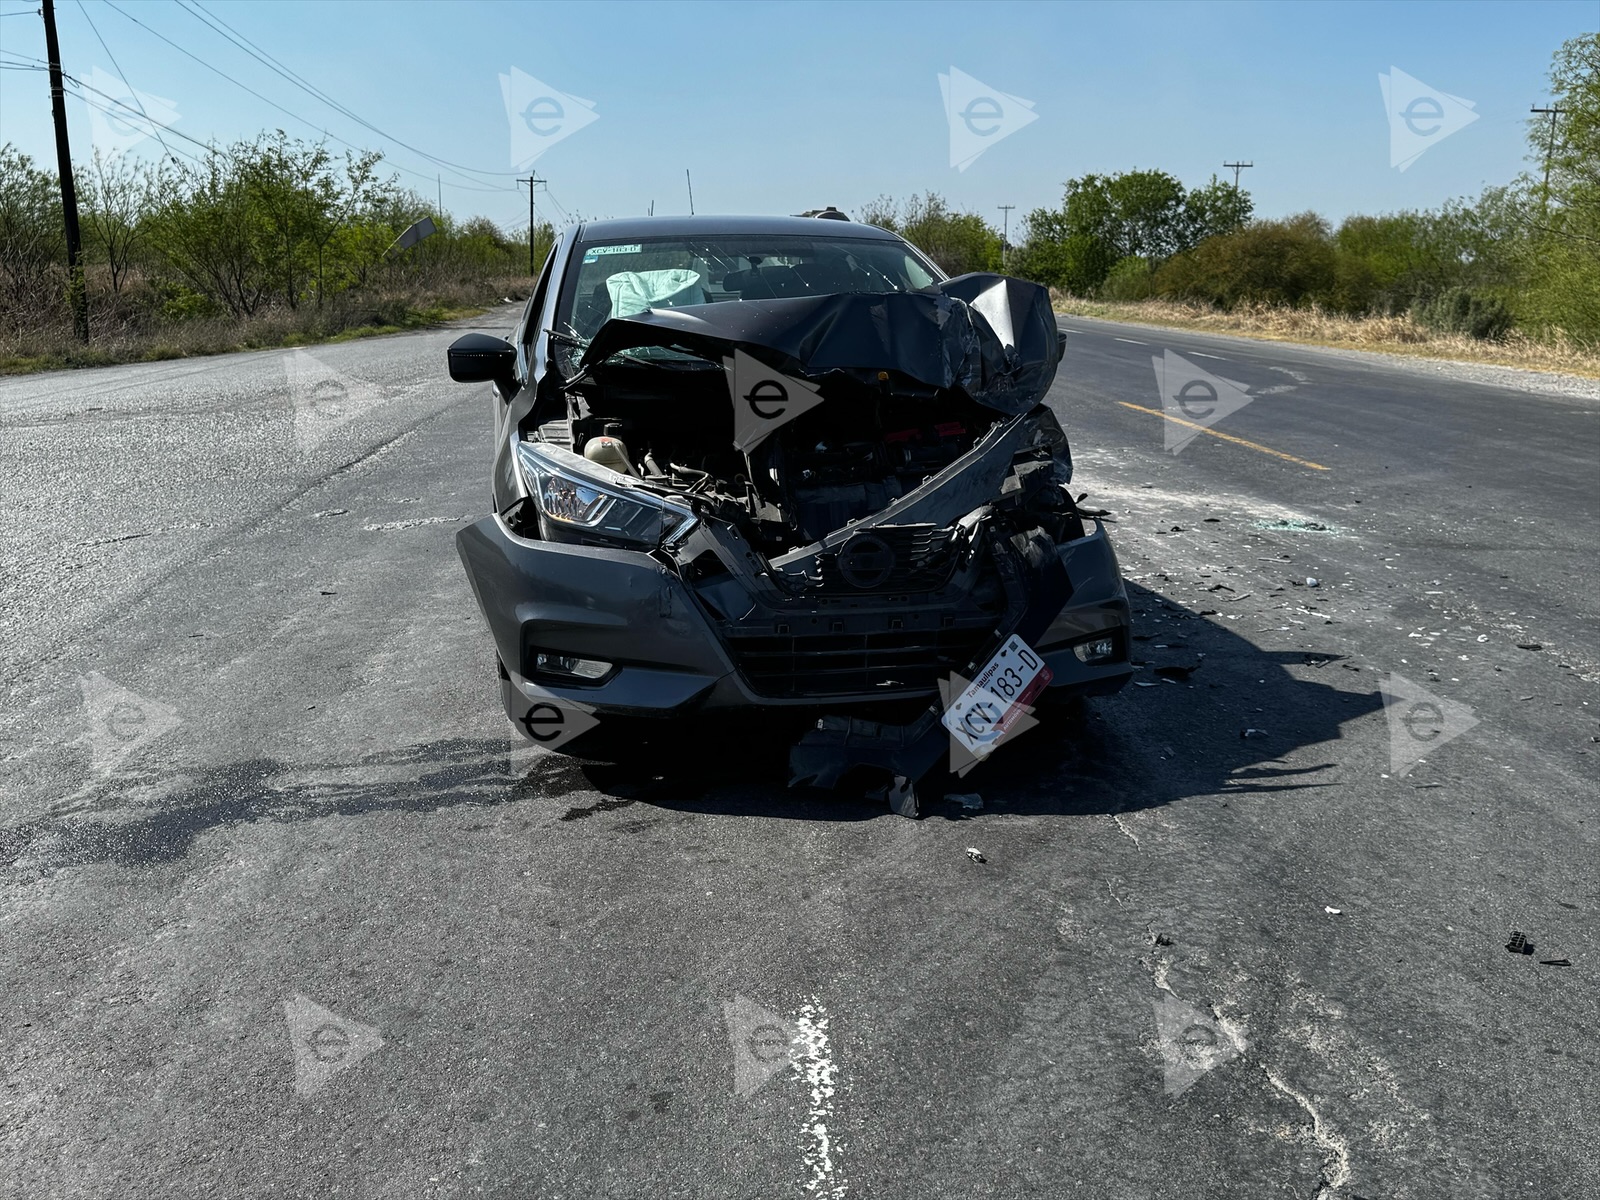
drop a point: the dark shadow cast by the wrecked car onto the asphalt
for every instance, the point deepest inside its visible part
(1207, 714)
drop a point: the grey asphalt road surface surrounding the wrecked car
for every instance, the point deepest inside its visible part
(287, 911)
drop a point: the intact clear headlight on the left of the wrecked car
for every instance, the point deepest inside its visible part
(583, 502)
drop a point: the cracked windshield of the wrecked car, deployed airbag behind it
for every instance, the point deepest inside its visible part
(620, 279)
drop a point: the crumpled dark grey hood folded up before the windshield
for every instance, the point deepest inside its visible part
(991, 337)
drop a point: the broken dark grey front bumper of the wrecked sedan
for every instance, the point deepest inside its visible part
(676, 655)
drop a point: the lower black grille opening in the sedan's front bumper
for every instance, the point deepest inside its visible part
(889, 663)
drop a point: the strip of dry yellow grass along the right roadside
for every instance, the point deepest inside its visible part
(1390, 335)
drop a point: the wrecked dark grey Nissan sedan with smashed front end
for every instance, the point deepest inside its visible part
(785, 463)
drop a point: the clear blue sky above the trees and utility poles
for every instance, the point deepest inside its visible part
(780, 108)
